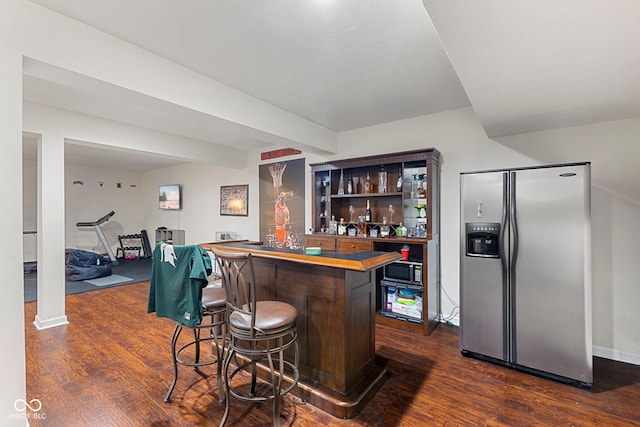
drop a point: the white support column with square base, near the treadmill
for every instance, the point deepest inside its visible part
(51, 227)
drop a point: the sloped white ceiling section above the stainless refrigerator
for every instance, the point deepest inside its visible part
(544, 64)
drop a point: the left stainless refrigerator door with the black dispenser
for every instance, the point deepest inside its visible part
(482, 291)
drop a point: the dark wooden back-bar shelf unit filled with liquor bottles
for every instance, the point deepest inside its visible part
(411, 201)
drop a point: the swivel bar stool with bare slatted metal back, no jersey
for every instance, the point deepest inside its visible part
(259, 330)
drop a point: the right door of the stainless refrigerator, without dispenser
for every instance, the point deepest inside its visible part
(552, 289)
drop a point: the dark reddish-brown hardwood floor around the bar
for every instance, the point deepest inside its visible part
(111, 366)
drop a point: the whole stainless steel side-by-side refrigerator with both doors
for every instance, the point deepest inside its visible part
(525, 269)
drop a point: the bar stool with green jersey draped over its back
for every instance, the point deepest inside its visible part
(179, 290)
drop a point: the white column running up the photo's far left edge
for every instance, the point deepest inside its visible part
(12, 368)
